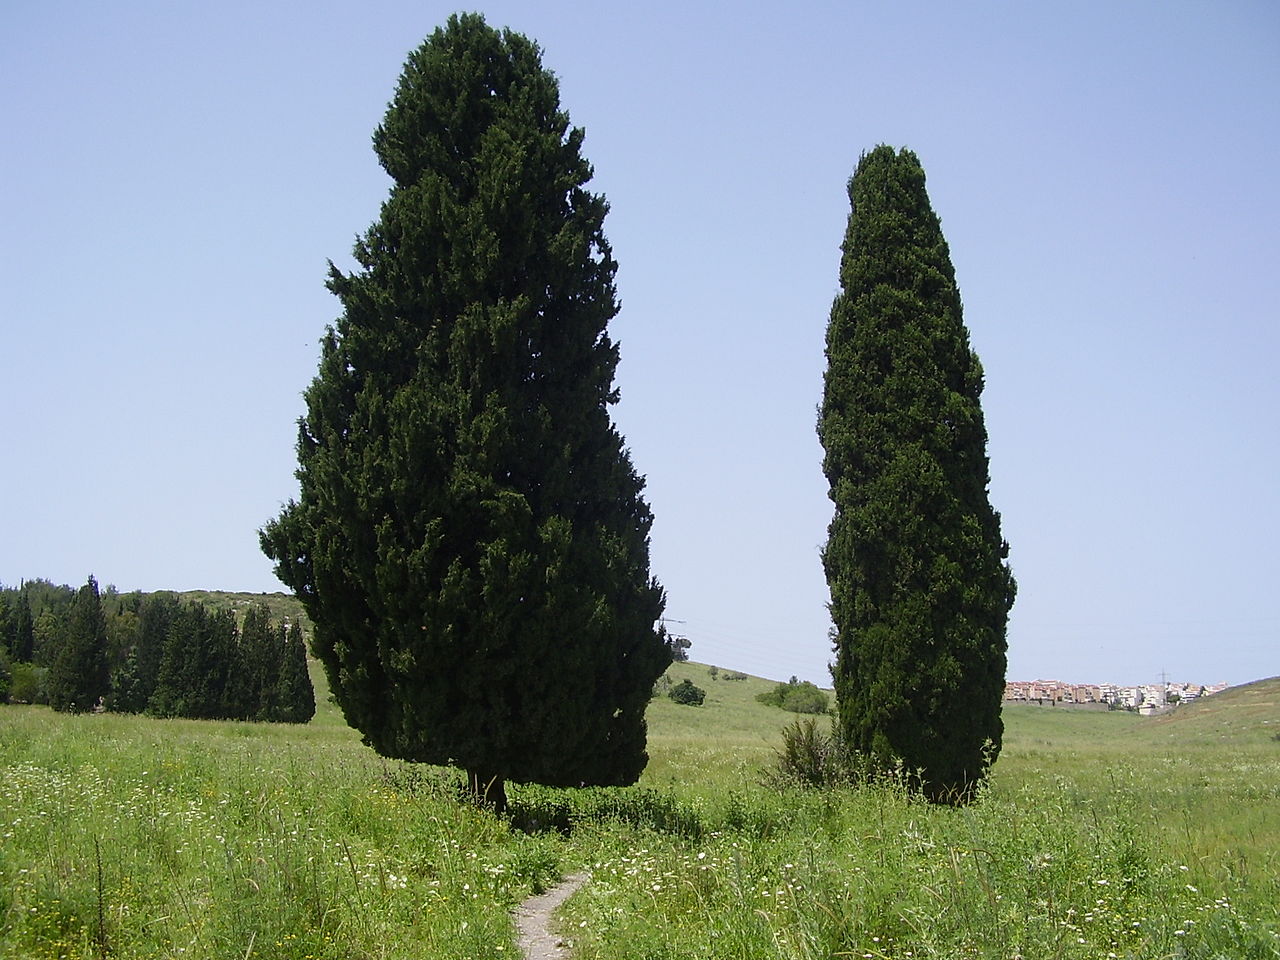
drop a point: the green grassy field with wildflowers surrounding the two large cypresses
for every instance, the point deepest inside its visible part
(1101, 835)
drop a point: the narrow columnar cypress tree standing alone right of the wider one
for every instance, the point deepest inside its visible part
(916, 563)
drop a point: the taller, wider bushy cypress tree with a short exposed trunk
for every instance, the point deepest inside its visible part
(470, 541)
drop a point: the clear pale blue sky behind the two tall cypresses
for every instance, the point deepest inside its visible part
(176, 175)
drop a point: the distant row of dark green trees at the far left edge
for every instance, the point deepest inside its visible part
(89, 650)
